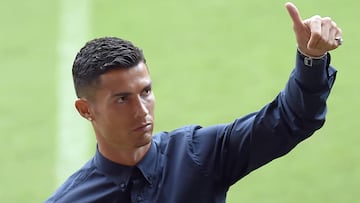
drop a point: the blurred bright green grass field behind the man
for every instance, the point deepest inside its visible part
(211, 61)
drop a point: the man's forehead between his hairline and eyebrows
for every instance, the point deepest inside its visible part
(125, 78)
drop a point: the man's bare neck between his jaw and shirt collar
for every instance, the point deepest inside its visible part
(128, 157)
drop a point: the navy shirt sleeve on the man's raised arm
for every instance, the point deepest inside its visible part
(229, 152)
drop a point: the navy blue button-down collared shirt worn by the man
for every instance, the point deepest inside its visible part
(199, 164)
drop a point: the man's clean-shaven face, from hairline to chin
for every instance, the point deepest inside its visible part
(123, 108)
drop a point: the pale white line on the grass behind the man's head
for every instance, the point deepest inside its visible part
(73, 131)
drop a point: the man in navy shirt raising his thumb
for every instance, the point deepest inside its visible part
(192, 163)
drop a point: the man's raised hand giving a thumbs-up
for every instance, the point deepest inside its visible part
(315, 36)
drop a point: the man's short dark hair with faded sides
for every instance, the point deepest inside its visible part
(100, 55)
